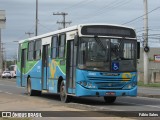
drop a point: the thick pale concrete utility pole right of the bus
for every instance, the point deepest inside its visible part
(146, 48)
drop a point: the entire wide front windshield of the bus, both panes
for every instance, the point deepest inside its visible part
(99, 54)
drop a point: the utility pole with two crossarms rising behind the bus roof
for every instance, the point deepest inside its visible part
(63, 22)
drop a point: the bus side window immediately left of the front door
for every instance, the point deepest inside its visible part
(62, 42)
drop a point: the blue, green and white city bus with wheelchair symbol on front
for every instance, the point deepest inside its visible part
(83, 60)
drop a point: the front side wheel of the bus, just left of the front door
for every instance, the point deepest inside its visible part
(63, 94)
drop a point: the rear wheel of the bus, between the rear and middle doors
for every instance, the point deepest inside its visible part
(31, 92)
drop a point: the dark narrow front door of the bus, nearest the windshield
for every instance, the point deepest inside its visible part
(70, 67)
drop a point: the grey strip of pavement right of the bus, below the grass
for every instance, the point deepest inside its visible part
(149, 92)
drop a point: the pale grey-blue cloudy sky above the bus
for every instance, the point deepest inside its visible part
(20, 17)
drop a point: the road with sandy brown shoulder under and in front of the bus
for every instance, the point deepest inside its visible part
(10, 96)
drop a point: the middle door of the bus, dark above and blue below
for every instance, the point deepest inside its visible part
(45, 64)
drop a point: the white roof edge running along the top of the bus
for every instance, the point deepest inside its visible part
(70, 29)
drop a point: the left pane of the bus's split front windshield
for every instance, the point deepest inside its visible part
(94, 54)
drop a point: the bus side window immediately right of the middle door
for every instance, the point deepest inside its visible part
(54, 47)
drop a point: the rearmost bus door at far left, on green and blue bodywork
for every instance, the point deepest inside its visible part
(23, 67)
